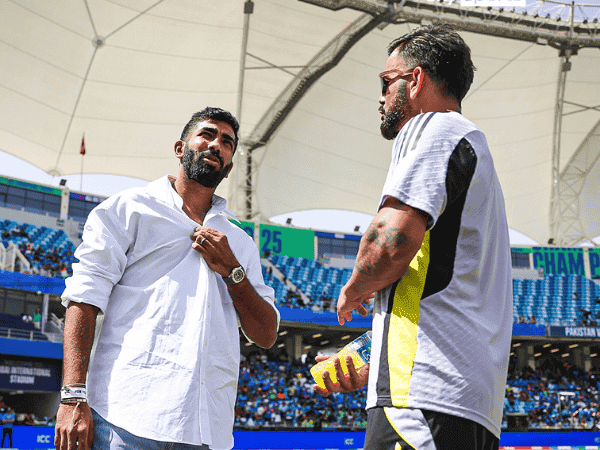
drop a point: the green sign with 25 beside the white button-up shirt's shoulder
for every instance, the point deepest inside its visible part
(287, 241)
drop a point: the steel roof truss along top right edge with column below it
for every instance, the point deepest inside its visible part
(532, 25)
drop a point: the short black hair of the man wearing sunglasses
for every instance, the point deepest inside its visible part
(442, 53)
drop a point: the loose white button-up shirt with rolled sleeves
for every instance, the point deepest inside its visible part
(167, 357)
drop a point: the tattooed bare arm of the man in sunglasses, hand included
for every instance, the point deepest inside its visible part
(386, 250)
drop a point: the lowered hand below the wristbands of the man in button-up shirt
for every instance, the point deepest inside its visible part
(74, 427)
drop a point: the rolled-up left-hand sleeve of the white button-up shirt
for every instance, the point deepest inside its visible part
(102, 259)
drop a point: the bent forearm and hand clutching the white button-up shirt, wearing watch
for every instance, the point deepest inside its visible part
(257, 316)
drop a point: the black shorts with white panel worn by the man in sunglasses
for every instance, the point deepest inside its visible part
(420, 429)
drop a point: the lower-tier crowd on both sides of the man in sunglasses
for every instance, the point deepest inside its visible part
(273, 394)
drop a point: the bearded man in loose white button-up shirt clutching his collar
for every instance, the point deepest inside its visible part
(175, 279)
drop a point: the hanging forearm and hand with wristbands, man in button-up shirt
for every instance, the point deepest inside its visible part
(74, 422)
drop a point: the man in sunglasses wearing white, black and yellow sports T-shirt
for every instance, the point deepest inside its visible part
(437, 260)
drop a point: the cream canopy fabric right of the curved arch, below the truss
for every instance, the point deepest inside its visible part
(336, 157)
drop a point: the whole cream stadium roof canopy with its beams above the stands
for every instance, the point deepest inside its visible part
(129, 74)
